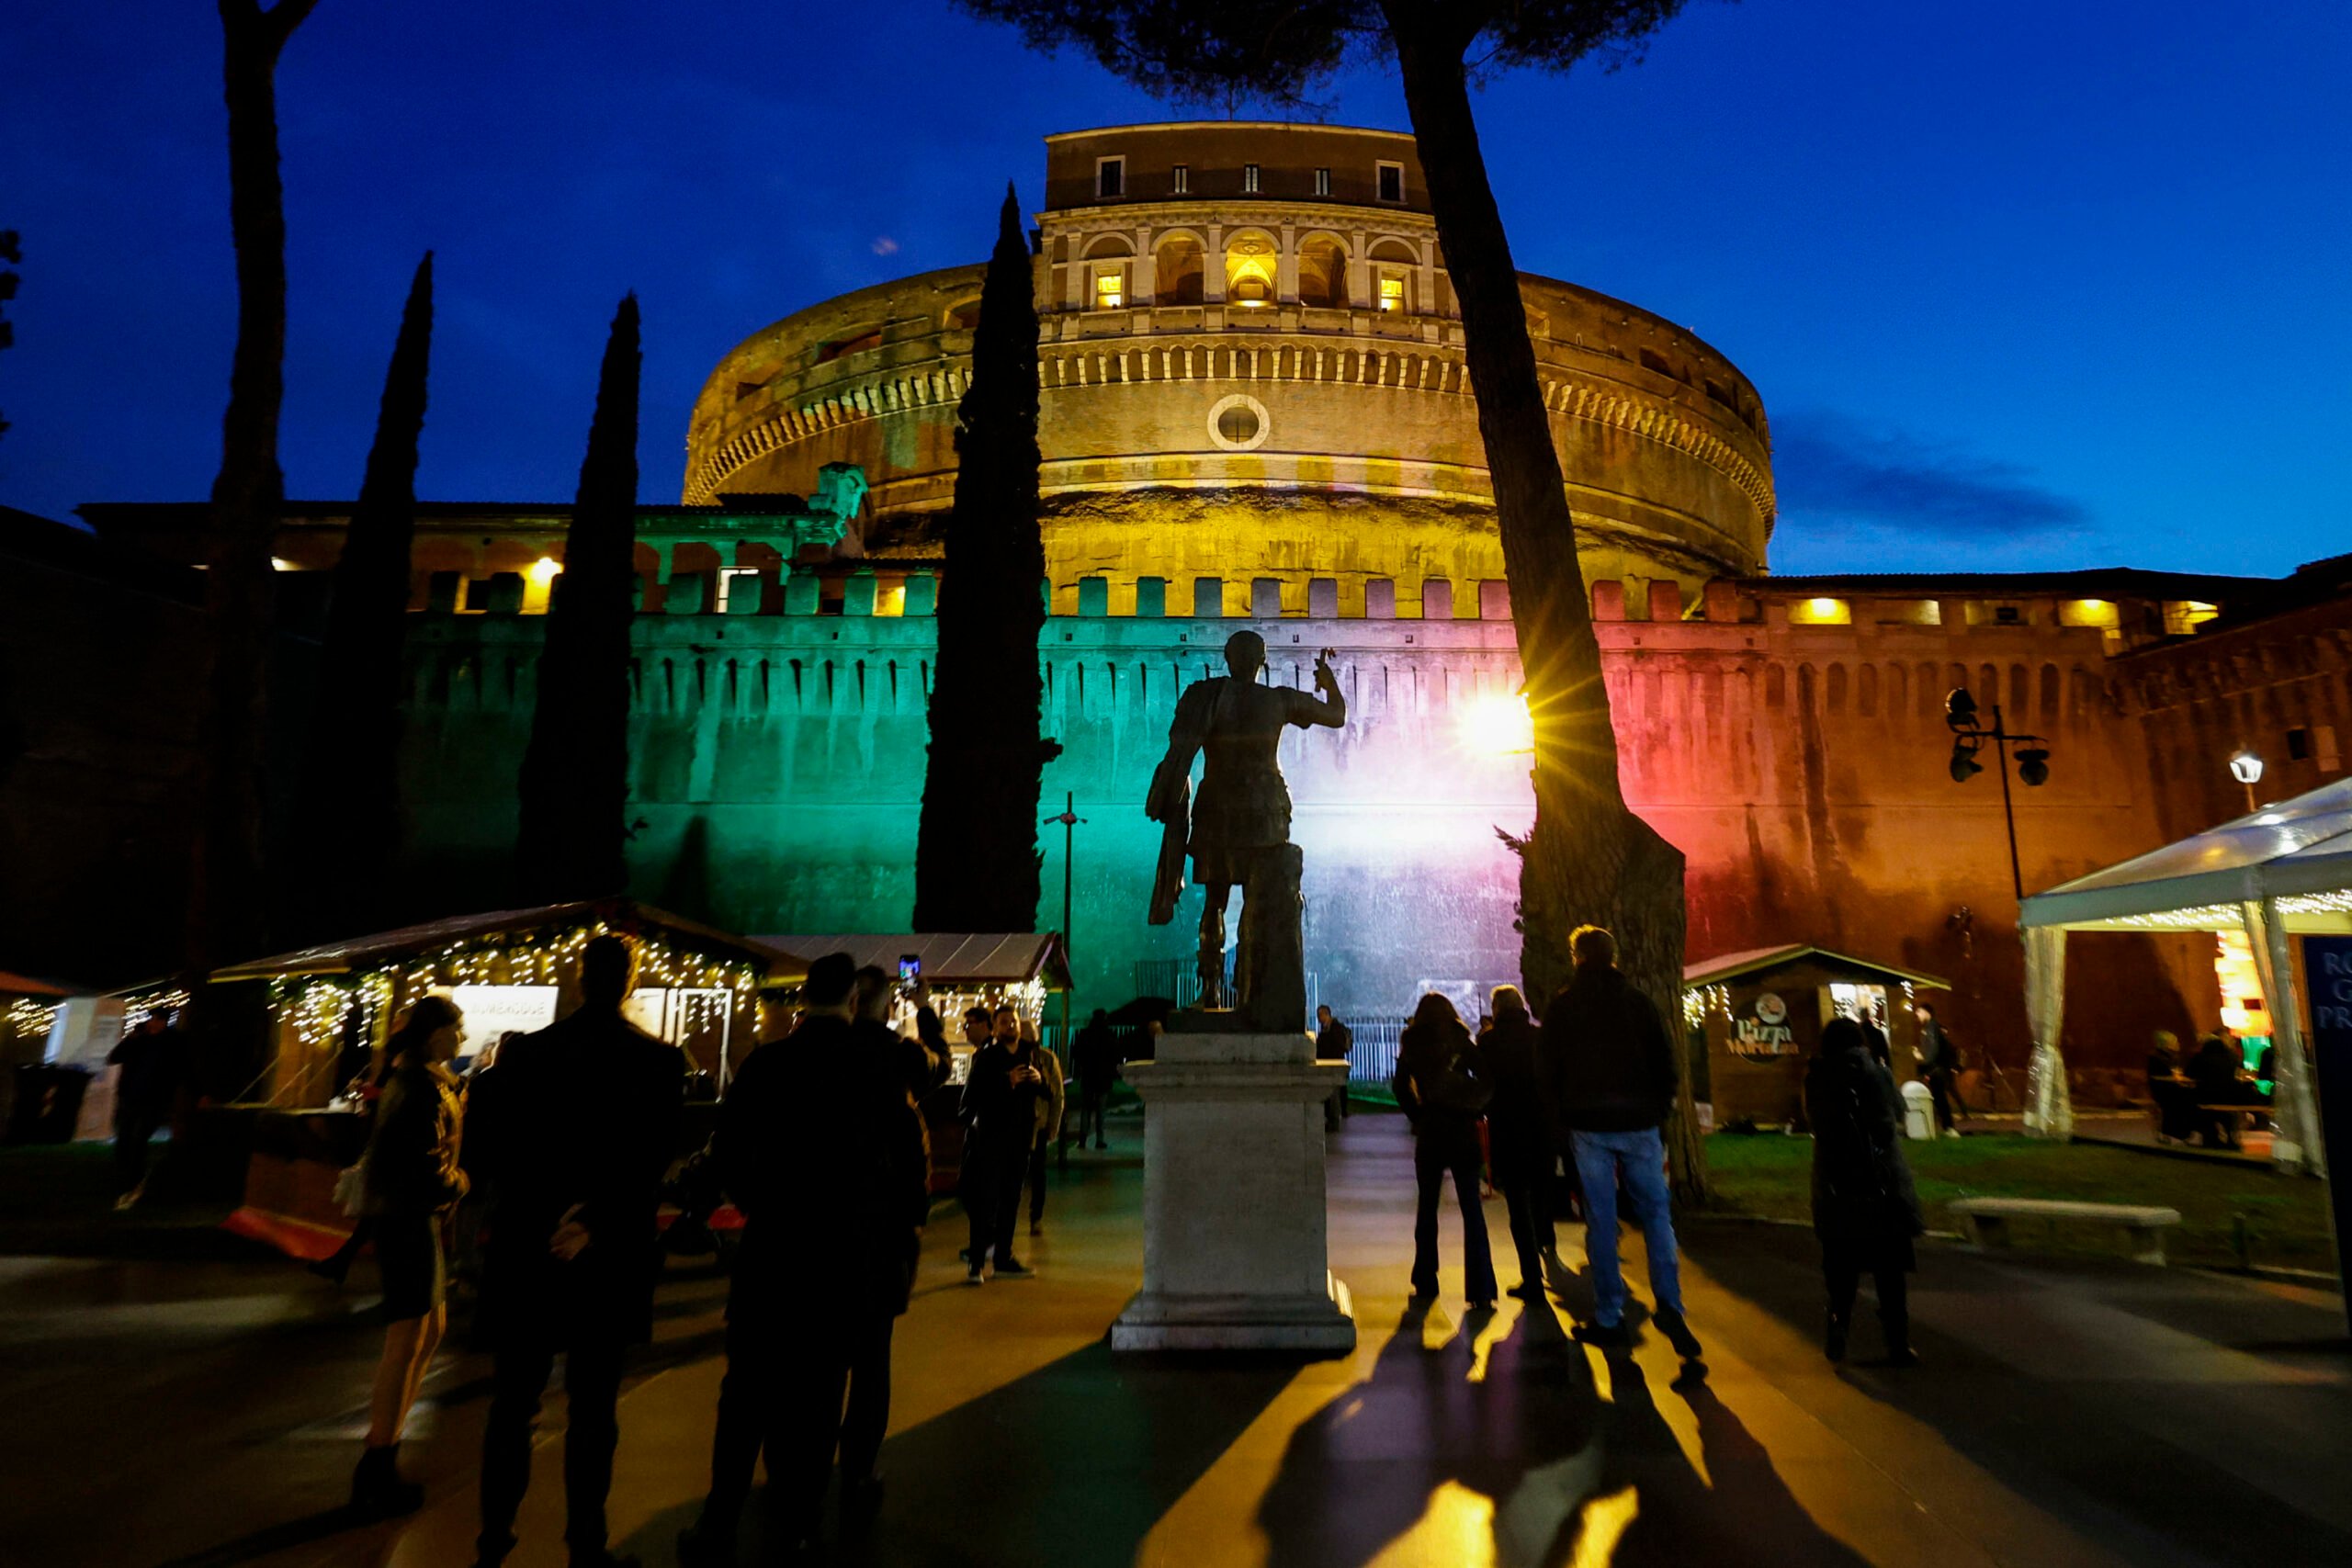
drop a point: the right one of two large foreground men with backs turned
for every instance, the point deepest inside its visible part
(848, 1184)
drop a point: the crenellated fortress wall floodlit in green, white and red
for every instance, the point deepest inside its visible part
(1791, 746)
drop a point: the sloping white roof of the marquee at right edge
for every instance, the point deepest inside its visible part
(2297, 852)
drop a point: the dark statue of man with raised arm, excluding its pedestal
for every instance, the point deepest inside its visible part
(1238, 831)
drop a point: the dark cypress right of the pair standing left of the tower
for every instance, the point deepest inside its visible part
(575, 772)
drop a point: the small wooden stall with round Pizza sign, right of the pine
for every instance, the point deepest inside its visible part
(1758, 1017)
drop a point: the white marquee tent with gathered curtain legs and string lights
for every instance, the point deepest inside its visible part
(2283, 871)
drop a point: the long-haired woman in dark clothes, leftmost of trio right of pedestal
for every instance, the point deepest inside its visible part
(1443, 1087)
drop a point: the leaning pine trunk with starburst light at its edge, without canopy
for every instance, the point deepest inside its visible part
(1589, 859)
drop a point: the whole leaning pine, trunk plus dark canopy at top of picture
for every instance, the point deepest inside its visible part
(1586, 859)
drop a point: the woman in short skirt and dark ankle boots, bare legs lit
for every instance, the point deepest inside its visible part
(410, 1179)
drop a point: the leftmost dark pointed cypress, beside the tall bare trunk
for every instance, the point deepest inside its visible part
(352, 782)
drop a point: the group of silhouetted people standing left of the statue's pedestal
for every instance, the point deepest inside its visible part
(561, 1146)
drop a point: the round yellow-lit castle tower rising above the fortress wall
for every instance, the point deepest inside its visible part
(1252, 375)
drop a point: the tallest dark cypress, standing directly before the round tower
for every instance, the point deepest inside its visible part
(977, 843)
